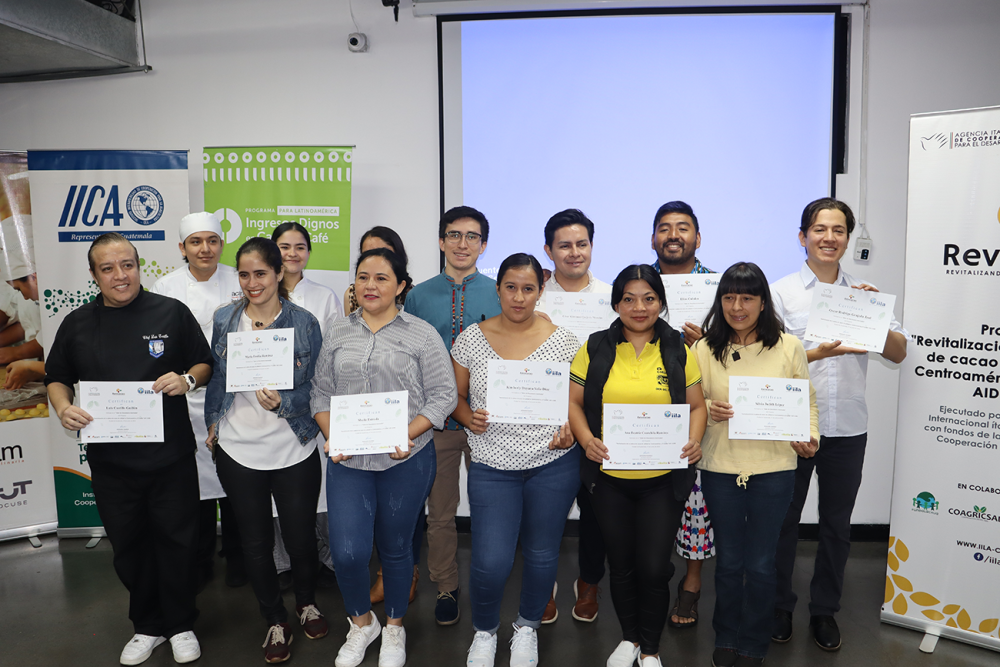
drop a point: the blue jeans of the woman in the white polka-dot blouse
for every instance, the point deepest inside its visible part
(505, 504)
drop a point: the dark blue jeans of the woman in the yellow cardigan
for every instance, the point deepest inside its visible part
(747, 524)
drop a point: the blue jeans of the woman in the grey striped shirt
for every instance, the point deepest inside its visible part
(382, 505)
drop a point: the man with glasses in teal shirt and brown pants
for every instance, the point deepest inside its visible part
(451, 301)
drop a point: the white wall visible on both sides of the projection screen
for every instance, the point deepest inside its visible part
(232, 72)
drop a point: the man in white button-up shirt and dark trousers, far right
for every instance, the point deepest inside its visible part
(839, 375)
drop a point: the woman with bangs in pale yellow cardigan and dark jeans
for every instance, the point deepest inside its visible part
(747, 483)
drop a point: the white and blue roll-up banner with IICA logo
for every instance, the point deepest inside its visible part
(76, 196)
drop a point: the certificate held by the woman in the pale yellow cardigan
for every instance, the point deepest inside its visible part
(769, 409)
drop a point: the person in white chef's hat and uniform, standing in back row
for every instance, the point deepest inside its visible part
(203, 285)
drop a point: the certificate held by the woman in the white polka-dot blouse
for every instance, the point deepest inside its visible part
(527, 392)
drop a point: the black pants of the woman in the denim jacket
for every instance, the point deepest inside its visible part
(295, 490)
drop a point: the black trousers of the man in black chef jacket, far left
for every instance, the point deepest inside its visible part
(151, 519)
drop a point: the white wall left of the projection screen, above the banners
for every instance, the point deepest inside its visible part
(250, 72)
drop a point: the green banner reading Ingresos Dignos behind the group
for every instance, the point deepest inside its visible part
(255, 189)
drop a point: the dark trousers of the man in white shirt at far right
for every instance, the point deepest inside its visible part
(838, 465)
